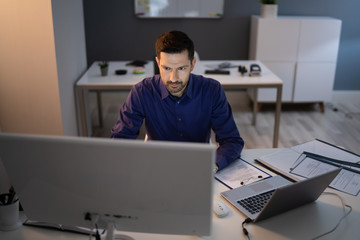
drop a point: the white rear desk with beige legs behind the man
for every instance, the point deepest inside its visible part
(92, 80)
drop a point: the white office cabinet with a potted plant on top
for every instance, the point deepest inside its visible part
(302, 51)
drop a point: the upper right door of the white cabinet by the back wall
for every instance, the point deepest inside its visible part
(319, 40)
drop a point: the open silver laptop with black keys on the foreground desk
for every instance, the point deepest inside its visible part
(275, 195)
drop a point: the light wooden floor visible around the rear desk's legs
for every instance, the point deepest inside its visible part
(339, 124)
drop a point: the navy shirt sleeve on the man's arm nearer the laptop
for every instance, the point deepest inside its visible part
(226, 132)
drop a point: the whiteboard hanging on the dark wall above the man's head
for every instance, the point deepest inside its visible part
(179, 8)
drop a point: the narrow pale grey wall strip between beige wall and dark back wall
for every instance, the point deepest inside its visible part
(70, 56)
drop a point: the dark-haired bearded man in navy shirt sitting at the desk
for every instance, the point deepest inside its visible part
(178, 105)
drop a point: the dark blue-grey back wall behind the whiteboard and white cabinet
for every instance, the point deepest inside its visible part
(113, 32)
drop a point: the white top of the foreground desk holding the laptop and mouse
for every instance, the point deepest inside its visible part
(305, 222)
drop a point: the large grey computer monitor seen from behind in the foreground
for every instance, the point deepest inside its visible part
(153, 187)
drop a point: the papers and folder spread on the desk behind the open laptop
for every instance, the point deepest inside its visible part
(321, 157)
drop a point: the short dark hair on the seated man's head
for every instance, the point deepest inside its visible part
(174, 42)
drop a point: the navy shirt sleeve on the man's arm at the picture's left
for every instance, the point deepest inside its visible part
(131, 116)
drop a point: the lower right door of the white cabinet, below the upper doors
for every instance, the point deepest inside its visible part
(314, 82)
